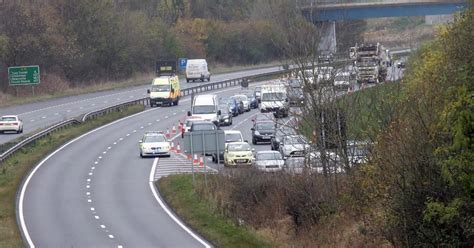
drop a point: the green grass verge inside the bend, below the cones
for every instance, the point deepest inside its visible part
(198, 213)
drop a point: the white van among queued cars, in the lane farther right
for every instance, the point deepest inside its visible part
(274, 99)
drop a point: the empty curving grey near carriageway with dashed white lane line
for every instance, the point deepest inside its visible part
(95, 190)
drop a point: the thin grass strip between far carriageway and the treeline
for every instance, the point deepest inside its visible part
(139, 79)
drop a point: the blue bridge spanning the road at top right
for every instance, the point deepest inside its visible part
(354, 11)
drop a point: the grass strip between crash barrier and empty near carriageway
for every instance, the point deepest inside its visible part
(15, 168)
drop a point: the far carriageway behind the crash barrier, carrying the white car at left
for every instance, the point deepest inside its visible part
(46, 113)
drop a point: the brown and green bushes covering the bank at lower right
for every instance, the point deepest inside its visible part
(416, 189)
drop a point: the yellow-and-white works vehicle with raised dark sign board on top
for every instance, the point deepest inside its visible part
(165, 88)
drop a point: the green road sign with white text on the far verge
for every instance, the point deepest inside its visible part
(24, 75)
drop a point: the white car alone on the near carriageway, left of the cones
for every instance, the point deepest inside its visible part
(154, 144)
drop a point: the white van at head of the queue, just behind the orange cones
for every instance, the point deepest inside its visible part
(206, 107)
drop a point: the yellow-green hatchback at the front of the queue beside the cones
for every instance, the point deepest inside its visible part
(238, 153)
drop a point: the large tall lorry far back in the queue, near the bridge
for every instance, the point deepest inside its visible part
(371, 62)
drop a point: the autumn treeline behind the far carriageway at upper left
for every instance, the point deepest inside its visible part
(81, 41)
